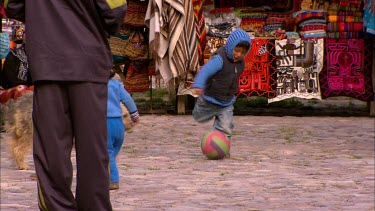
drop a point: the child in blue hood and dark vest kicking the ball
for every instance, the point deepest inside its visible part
(217, 82)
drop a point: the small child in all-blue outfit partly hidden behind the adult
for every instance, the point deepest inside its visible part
(116, 129)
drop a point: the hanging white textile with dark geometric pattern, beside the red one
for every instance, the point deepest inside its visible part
(299, 63)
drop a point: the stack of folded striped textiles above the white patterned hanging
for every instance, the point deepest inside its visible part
(311, 24)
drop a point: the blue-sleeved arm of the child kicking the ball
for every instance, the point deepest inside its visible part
(214, 65)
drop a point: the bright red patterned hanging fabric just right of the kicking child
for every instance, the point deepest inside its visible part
(259, 76)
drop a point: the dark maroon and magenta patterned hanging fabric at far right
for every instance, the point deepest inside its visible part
(348, 69)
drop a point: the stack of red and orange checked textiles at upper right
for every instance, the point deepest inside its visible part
(345, 20)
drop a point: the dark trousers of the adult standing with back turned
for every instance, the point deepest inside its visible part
(67, 114)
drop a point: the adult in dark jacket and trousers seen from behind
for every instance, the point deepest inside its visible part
(70, 61)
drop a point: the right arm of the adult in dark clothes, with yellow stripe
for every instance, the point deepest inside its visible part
(112, 13)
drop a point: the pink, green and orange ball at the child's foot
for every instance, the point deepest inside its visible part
(215, 145)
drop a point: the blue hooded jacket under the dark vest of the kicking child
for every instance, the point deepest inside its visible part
(216, 63)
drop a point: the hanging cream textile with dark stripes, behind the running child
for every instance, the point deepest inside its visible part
(172, 37)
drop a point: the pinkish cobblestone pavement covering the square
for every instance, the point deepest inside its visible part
(276, 163)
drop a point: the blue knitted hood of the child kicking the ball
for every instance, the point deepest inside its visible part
(236, 37)
